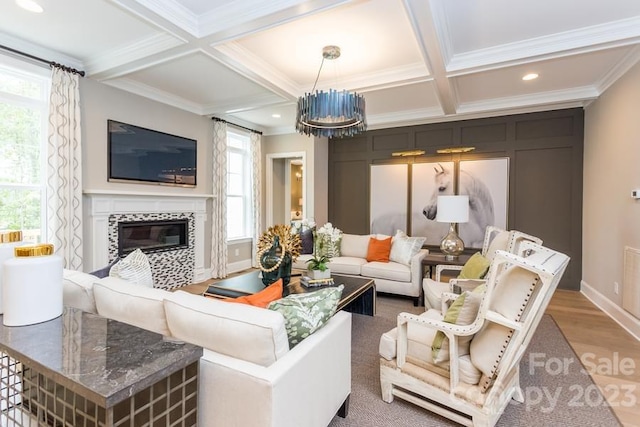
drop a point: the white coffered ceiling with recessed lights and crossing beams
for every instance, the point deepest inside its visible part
(415, 61)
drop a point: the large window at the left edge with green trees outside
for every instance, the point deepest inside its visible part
(24, 94)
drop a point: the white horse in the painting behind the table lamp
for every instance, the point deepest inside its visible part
(481, 212)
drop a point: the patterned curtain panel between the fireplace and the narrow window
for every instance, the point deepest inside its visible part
(219, 211)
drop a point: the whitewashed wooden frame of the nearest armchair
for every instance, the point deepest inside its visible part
(464, 403)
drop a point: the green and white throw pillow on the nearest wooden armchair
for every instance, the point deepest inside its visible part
(463, 311)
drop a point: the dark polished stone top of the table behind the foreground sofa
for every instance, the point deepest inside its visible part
(101, 359)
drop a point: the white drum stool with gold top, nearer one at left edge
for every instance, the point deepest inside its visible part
(32, 286)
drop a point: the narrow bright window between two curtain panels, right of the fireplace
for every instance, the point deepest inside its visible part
(238, 186)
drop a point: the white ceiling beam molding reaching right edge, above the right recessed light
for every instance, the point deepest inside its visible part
(610, 35)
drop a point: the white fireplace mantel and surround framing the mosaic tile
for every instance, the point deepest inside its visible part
(99, 204)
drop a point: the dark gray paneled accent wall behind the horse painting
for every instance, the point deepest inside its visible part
(545, 172)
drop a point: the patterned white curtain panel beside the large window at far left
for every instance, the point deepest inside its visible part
(64, 169)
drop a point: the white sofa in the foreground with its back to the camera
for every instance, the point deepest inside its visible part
(248, 375)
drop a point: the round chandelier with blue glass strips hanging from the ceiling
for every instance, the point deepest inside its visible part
(333, 113)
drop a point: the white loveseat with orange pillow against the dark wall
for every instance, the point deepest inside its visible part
(390, 277)
